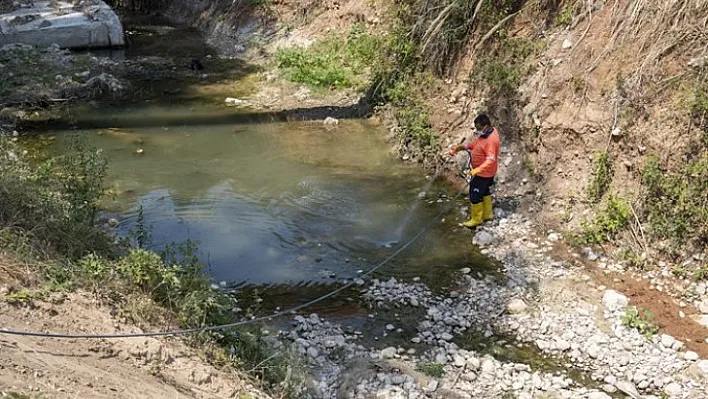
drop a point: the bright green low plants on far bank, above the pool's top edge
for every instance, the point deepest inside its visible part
(333, 61)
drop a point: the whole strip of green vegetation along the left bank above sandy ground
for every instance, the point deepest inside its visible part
(48, 218)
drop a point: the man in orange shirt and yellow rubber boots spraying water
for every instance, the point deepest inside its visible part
(483, 167)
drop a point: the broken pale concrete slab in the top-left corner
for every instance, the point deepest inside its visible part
(85, 24)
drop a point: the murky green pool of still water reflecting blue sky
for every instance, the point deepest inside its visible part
(273, 203)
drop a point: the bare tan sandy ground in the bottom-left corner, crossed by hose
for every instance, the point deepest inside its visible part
(122, 368)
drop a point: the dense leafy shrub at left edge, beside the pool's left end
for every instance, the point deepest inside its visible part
(54, 204)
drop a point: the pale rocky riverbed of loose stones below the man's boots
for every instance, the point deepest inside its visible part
(544, 304)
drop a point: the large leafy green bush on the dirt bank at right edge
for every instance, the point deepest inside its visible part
(676, 202)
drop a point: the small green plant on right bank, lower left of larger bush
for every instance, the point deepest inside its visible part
(613, 218)
